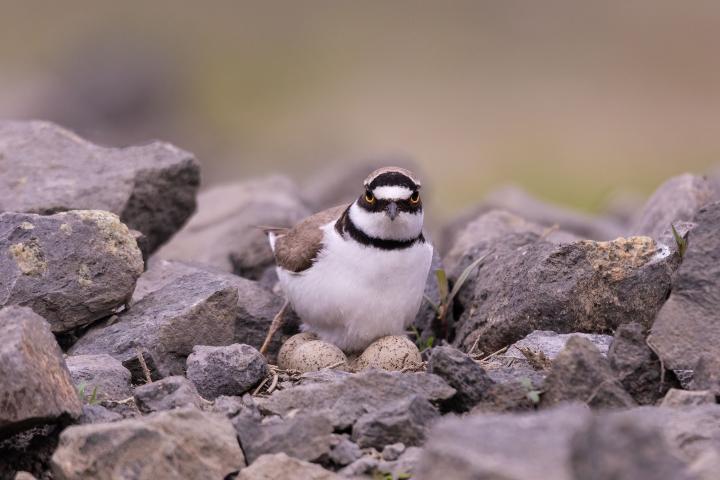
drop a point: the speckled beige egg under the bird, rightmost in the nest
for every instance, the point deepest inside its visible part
(394, 352)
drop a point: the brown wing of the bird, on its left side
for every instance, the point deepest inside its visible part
(297, 249)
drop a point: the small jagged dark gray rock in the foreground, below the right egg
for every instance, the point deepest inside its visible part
(406, 420)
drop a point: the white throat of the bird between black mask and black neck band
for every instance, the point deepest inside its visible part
(406, 226)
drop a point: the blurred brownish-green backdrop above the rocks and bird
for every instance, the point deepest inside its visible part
(572, 100)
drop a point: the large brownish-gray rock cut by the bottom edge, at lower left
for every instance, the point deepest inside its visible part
(186, 442)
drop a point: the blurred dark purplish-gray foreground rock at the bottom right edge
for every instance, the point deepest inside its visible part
(623, 448)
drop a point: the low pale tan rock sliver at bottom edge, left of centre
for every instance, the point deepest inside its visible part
(279, 465)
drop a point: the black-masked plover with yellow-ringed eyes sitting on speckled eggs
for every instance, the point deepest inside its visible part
(355, 273)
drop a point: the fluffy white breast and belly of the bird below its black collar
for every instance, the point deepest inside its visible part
(354, 294)
